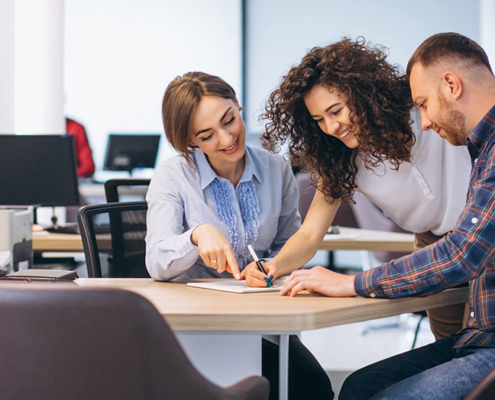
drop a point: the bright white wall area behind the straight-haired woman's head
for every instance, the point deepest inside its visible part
(121, 55)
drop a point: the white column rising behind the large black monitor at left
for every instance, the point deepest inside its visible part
(39, 66)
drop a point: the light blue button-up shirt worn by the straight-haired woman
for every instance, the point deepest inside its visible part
(181, 197)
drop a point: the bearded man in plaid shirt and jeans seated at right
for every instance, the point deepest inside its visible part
(453, 85)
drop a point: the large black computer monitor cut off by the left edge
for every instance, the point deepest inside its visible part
(38, 170)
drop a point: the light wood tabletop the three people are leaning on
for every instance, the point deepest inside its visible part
(194, 309)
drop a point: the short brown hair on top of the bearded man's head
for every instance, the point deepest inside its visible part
(448, 45)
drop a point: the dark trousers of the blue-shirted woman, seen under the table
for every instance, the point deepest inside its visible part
(307, 379)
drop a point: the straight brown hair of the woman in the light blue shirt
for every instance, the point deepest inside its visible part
(181, 101)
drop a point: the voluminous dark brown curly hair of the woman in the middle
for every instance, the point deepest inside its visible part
(378, 97)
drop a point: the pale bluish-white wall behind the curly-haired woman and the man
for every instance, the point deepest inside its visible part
(280, 32)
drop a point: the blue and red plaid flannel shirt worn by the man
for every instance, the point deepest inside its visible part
(464, 254)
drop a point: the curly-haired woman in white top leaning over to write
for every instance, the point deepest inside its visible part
(350, 121)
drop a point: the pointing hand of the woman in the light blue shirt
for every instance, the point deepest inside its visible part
(215, 249)
